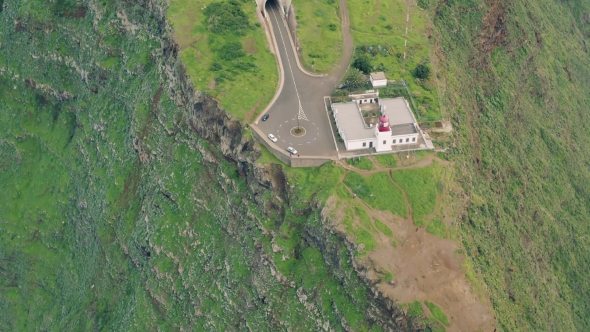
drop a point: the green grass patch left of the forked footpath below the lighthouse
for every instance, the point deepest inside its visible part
(386, 196)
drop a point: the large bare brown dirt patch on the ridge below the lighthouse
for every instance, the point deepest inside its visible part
(427, 268)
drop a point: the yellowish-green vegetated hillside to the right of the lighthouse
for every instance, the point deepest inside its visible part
(518, 77)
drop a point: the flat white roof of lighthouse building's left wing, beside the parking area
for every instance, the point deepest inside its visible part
(351, 122)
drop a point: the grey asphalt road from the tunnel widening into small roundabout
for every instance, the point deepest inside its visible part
(298, 89)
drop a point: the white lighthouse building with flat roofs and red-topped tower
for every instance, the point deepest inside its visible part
(370, 122)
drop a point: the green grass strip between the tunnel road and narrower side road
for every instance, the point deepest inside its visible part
(320, 33)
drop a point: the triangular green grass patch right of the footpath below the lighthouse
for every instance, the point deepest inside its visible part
(421, 187)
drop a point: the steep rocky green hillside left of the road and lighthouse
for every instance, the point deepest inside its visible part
(128, 202)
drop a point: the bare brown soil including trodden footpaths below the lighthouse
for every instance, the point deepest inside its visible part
(425, 267)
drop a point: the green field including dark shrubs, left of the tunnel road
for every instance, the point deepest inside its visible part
(243, 85)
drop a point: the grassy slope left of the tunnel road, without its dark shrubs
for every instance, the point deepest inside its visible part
(246, 90)
